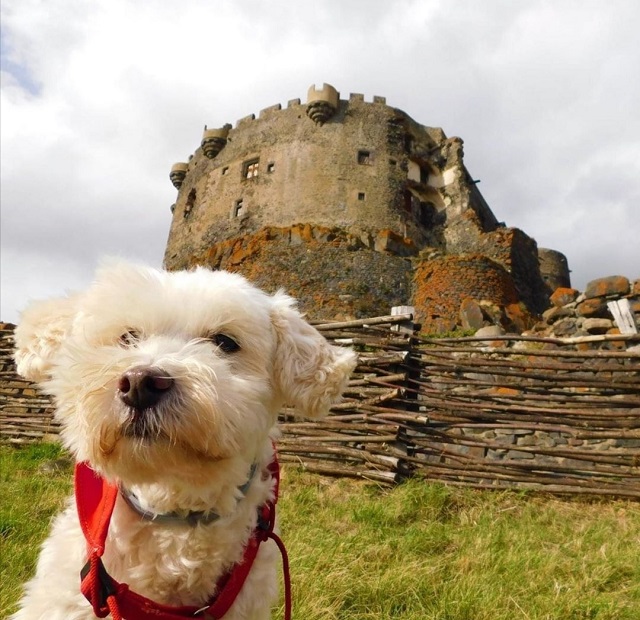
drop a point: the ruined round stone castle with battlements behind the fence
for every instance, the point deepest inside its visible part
(353, 207)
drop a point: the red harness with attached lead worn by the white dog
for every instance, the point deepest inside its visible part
(95, 500)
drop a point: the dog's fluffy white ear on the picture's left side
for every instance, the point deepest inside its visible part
(43, 326)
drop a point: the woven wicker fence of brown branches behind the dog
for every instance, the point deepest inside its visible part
(552, 415)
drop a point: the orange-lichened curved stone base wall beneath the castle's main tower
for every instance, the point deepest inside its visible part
(332, 274)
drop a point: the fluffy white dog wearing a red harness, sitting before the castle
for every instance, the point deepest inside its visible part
(168, 386)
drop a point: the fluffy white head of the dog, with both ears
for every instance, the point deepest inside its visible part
(153, 370)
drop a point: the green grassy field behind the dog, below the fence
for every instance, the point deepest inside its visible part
(416, 552)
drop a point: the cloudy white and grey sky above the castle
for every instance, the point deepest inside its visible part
(99, 99)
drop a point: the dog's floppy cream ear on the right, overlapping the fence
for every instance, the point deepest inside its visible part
(310, 374)
